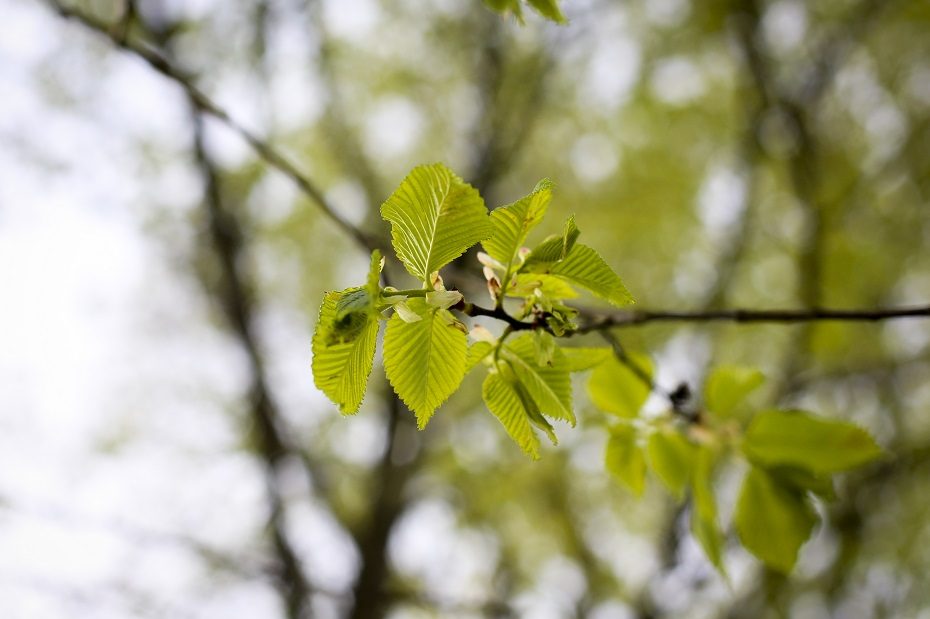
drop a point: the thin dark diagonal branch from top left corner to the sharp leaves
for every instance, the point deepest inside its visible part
(271, 155)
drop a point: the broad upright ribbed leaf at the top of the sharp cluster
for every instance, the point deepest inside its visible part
(435, 216)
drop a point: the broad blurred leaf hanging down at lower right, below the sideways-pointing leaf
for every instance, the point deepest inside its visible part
(773, 519)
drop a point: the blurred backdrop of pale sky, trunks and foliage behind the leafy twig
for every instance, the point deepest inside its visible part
(163, 452)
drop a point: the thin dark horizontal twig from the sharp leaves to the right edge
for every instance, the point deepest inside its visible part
(630, 318)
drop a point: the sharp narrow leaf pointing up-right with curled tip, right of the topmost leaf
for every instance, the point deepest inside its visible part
(510, 224)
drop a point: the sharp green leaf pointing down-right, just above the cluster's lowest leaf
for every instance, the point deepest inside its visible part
(550, 386)
